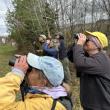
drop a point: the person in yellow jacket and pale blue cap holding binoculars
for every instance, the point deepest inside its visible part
(42, 86)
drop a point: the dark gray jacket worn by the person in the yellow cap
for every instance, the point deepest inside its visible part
(94, 79)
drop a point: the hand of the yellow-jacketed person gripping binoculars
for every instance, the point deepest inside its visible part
(21, 63)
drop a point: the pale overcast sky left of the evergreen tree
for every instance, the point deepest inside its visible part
(4, 5)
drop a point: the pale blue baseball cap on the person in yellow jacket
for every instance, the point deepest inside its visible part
(51, 67)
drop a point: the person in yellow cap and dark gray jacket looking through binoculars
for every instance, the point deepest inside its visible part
(93, 68)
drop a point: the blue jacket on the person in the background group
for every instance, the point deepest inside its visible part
(50, 51)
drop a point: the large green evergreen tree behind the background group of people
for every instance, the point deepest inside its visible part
(29, 19)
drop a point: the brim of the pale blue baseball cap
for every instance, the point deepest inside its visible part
(33, 60)
